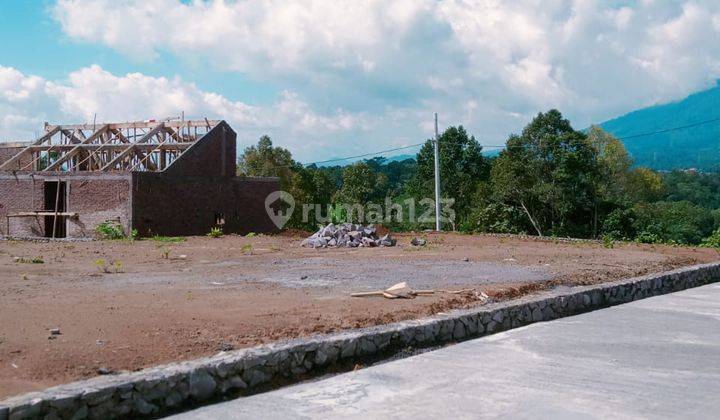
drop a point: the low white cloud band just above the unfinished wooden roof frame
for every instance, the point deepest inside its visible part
(92, 91)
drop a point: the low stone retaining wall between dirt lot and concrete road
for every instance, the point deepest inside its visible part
(169, 388)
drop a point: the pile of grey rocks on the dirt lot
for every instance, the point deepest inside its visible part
(347, 235)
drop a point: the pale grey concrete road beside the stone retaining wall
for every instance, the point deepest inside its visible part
(655, 358)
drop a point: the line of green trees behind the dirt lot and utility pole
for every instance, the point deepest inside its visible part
(549, 180)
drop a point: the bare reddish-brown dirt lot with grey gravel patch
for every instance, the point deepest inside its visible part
(124, 305)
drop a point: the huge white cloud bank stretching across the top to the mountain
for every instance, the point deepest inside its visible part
(589, 57)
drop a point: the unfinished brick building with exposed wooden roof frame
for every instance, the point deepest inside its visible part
(161, 178)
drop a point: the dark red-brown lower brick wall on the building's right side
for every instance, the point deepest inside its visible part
(176, 206)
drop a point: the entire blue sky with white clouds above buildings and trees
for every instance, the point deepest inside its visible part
(331, 78)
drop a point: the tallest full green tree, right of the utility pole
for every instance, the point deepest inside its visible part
(550, 173)
